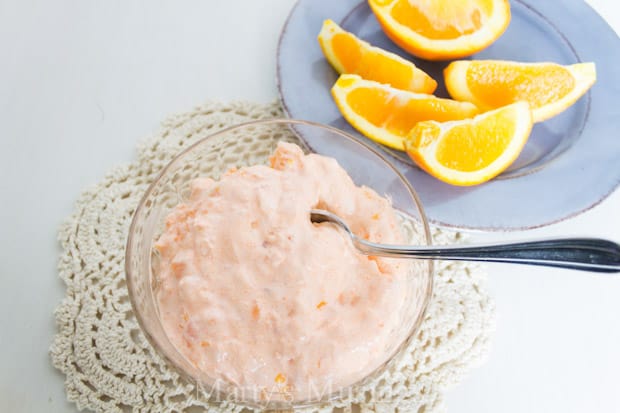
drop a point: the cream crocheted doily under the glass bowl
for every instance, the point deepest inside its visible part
(110, 366)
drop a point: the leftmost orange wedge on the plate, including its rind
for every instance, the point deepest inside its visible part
(348, 54)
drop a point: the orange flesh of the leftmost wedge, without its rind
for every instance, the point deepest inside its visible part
(370, 64)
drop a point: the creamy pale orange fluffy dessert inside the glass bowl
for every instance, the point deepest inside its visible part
(250, 291)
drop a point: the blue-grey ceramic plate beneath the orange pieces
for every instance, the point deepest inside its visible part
(570, 163)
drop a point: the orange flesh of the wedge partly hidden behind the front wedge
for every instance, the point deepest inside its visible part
(399, 115)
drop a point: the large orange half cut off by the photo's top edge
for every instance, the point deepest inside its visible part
(442, 29)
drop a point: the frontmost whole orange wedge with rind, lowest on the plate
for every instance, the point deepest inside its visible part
(471, 151)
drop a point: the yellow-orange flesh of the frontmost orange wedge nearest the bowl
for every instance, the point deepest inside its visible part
(472, 147)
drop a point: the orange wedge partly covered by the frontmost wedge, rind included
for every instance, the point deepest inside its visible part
(385, 114)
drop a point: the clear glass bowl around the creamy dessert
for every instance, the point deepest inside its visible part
(248, 144)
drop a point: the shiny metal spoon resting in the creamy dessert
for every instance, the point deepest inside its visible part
(586, 254)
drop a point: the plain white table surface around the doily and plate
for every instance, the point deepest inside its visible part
(82, 81)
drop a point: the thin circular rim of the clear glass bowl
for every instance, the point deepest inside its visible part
(276, 405)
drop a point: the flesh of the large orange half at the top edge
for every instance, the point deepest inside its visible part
(442, 20)
